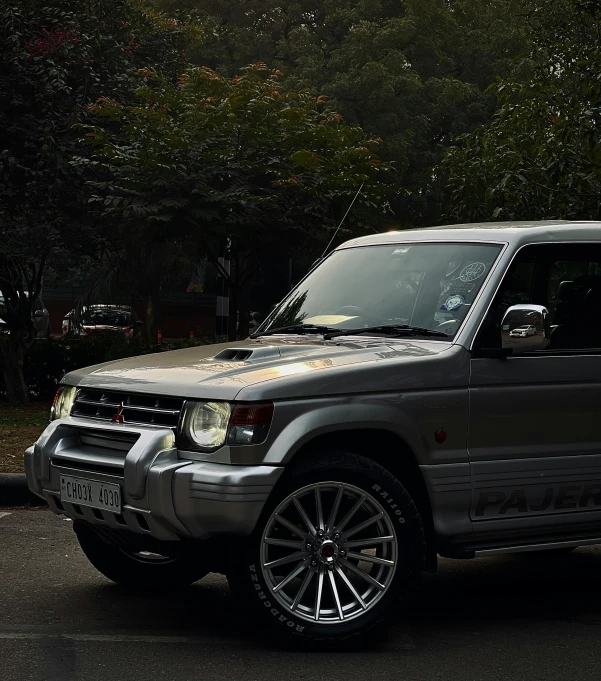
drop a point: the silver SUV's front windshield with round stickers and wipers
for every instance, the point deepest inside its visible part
(424, 285)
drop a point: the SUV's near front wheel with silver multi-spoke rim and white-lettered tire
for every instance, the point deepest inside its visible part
(262, 571)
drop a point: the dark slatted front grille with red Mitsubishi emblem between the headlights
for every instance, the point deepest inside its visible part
(138, 409)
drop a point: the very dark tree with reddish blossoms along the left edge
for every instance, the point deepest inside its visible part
(55, 57)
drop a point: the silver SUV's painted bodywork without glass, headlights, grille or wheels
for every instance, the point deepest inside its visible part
(520, 466)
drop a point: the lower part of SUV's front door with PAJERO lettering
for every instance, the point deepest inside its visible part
(535, 441)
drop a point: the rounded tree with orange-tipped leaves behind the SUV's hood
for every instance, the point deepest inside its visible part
(243, 160)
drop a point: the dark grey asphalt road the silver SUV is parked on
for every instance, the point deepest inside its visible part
(496, 618)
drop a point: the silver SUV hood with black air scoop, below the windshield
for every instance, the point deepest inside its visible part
(264, 368)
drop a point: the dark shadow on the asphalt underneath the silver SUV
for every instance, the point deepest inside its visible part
(485, 594)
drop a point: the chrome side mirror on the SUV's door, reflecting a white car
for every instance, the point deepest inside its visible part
(525, 328)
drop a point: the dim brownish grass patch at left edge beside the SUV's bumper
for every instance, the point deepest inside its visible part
(20, 427)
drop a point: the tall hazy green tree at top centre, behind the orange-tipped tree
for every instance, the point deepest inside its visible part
(414, 72)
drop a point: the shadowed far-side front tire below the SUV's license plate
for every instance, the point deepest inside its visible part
(139, 571)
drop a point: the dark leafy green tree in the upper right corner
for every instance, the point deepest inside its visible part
(540, 157)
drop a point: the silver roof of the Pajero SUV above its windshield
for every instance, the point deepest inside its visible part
(499, 232)
